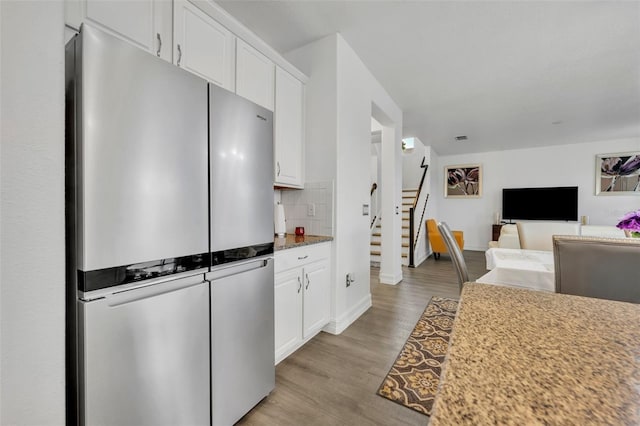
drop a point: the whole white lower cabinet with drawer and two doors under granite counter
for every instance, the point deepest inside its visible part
(302, 296)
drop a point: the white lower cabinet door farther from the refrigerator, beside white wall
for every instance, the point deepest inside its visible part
(316, 297)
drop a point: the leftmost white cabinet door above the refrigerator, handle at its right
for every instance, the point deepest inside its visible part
(144, 23)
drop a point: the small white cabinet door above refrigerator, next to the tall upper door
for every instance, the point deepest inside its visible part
(254, 75)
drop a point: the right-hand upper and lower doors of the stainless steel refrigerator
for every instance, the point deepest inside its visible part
(242, 287)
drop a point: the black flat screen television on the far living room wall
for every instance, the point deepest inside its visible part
(558, 203)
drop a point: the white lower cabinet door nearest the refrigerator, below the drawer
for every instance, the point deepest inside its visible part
(288, 312)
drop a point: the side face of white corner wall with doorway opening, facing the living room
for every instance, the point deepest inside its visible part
(357, 91)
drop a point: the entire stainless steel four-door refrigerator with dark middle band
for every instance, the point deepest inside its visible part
(169, 222)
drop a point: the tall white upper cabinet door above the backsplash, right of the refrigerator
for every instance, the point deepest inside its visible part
(289, 129)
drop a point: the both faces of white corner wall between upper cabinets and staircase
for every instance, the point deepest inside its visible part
(340, 94)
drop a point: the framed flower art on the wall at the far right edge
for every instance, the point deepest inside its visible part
(618, 174)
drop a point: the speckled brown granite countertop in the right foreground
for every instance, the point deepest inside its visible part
(529, 357)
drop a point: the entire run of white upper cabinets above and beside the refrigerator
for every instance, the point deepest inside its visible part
(206, 41)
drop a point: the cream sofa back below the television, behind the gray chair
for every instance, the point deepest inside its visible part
(538, 235)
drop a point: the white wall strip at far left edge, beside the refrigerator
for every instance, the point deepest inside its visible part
(32, 284)
